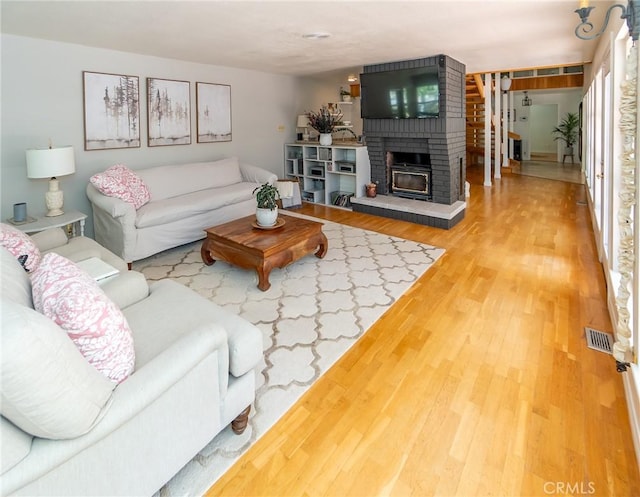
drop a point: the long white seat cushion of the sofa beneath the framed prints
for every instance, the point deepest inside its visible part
(191, 204)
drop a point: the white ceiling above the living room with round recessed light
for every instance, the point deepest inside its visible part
(485, 35)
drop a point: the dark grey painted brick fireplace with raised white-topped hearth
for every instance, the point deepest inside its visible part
(442, 140)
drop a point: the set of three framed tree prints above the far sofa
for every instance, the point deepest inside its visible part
(112, 112)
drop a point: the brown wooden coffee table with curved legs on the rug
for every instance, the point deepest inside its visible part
(241, 244)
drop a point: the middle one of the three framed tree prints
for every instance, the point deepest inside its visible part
(169, 112)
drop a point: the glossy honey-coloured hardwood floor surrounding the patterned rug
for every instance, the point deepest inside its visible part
(478, 381)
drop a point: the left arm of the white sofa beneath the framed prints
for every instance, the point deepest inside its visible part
(113, 223)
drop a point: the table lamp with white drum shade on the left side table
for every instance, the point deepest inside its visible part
(51, 163)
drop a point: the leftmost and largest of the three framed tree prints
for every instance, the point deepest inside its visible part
(111, 111)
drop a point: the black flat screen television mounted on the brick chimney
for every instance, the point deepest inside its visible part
(400, 94)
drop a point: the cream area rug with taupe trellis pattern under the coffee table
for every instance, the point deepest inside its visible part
(315, 310)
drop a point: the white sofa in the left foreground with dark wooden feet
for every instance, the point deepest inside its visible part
(193, 376)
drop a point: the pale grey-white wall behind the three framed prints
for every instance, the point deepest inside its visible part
(42, 99)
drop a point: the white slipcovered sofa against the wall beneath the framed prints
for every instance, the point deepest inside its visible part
(185, 200)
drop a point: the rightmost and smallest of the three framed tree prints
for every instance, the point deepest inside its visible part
(213, 103)
